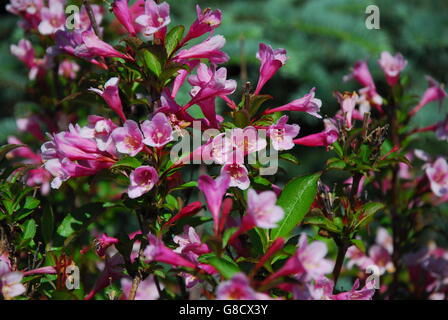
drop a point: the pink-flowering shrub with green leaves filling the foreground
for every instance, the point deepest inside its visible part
(248, 235)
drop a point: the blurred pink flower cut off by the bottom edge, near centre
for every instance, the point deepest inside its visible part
(237, 288)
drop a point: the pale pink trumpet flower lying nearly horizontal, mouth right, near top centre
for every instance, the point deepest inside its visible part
(208, 49)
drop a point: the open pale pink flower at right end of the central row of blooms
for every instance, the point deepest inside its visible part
(282, 134)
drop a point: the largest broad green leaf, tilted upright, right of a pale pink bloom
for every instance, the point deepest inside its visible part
(295, 199)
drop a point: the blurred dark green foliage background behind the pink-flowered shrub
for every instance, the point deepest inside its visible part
(324, 38)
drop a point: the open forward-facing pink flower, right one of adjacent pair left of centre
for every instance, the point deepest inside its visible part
(158, 132)
